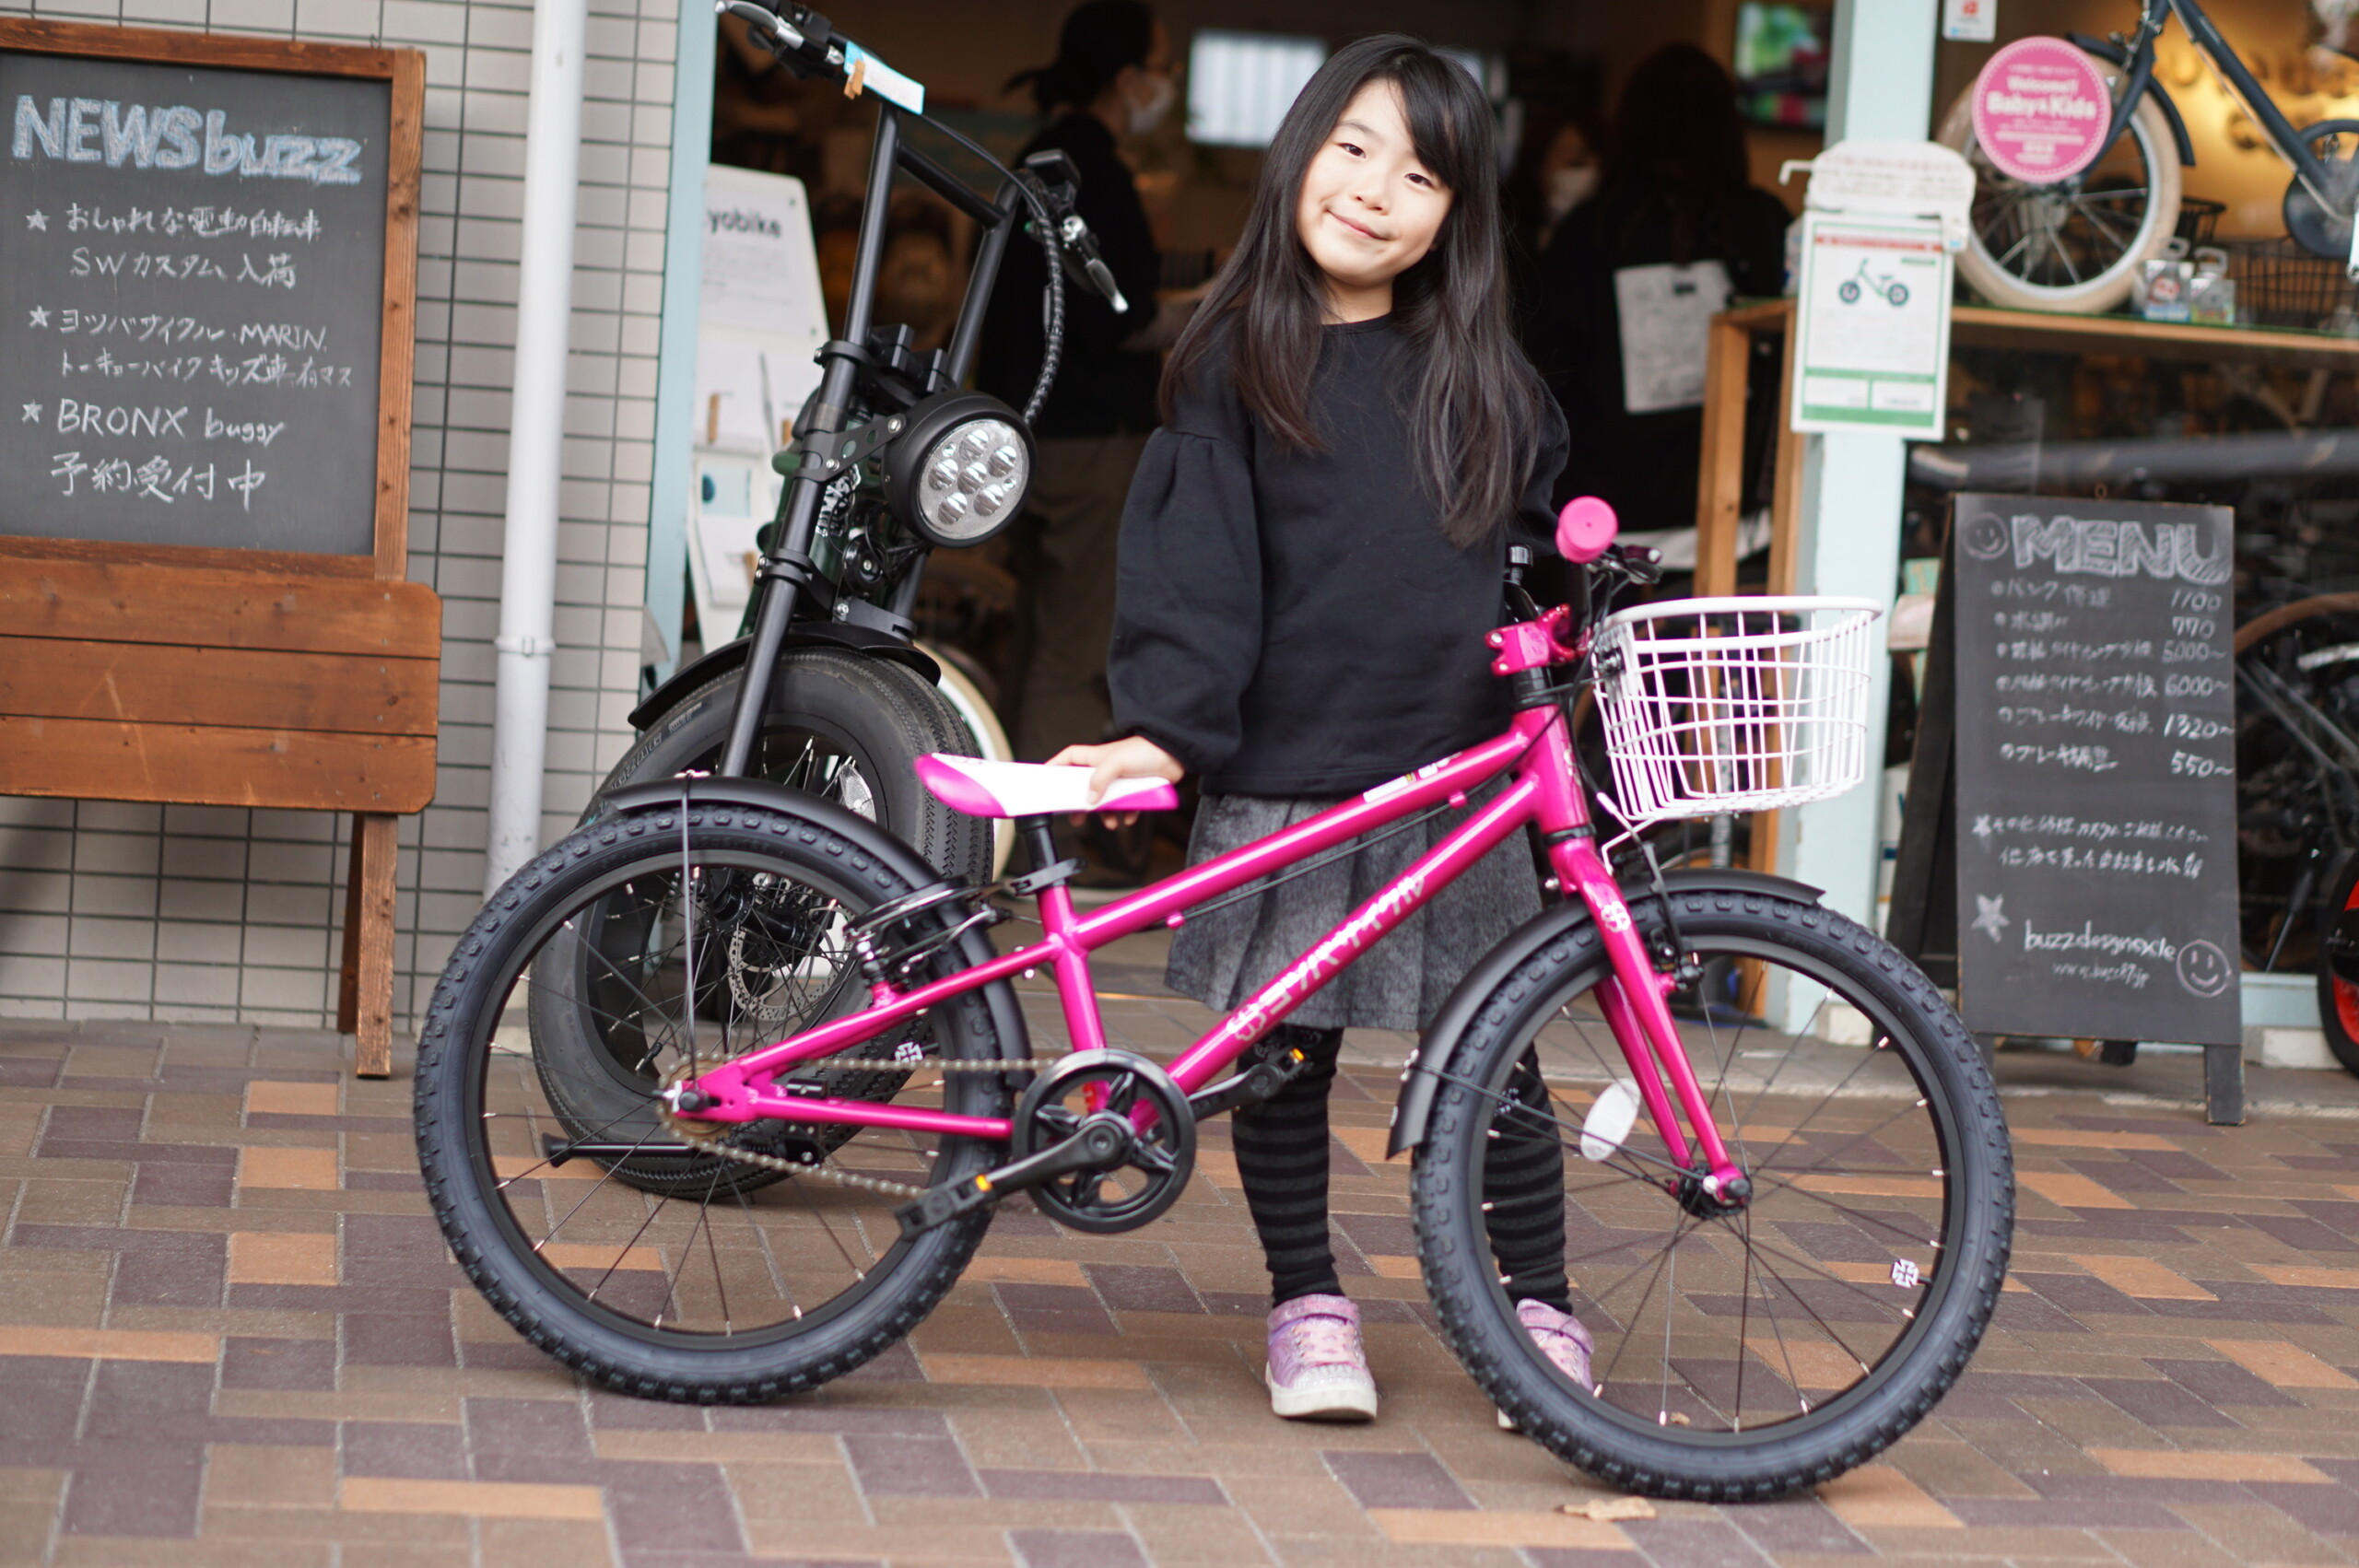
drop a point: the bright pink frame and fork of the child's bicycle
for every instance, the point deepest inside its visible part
(1546, 796)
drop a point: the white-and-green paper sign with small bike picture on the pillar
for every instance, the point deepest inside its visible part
(1874, 327)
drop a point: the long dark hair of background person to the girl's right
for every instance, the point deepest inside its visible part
(1681, 147)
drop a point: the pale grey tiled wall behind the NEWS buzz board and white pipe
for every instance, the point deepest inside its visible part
(124, 911)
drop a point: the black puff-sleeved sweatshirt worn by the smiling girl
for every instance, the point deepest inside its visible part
(1294, 624)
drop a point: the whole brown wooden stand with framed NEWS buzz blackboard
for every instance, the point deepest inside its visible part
(209, 279)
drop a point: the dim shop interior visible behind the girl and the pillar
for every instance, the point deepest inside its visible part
(2094, 419)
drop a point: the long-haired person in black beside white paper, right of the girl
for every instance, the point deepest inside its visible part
(1674, 232)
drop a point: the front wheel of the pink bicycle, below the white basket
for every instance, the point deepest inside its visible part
(1747, 1350)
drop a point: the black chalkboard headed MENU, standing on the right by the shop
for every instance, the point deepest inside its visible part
(2096, 770)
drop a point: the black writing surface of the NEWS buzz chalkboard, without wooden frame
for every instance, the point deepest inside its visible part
(192, 303)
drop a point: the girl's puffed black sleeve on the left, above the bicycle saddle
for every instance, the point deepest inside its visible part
(1188, 617)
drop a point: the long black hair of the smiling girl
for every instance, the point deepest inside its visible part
(1476, 411)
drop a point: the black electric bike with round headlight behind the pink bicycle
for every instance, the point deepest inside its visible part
(891, 463)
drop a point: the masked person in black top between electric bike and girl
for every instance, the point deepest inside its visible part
(1112, 77)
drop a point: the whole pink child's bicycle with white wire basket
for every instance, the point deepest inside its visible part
(718, 1095)
